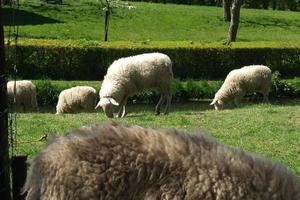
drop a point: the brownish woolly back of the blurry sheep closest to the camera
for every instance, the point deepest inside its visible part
(115, 162)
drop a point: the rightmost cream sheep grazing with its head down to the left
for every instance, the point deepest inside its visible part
(239, 82)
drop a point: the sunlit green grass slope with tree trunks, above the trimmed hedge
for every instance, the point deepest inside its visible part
(150, 22)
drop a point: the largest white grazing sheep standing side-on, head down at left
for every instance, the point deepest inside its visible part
(127, 76)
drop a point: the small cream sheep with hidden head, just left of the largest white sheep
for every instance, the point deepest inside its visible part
(75, 99)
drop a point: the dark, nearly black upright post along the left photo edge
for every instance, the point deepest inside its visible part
(4, 155)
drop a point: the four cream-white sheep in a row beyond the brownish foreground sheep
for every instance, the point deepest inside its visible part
(130, 75)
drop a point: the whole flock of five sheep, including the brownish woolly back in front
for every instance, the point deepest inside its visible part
(114, 162)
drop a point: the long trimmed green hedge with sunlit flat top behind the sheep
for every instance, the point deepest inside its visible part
(86, 60)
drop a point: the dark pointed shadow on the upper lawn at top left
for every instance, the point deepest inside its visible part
(23, 17)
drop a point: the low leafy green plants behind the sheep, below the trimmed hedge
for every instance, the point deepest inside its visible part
(48, 91)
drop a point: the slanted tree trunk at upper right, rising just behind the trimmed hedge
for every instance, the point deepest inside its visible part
(235, 19)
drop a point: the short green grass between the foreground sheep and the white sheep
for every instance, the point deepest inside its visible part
(270, 130)
